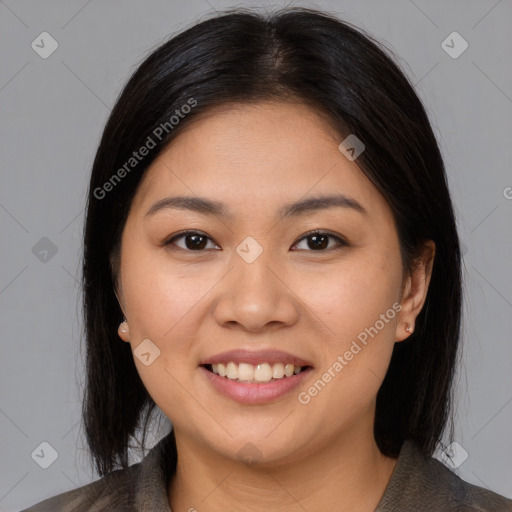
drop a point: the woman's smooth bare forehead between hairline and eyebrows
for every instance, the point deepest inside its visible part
(257, 156)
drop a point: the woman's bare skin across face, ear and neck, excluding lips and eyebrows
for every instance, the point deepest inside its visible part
(310, 302)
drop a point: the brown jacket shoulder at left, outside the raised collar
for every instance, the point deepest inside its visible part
(115, 491)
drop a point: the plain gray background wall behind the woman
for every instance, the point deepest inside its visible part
(52, 114)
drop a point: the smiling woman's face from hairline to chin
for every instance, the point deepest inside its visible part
(251, 280)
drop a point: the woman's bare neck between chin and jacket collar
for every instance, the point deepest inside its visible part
(349, 474)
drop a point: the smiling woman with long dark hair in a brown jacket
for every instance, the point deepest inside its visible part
(271, 258)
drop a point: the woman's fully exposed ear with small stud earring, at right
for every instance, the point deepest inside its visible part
(415, 290)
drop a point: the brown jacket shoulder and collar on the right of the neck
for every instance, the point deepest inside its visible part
(424, 483)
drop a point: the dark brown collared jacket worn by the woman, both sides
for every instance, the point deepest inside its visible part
(418, 484)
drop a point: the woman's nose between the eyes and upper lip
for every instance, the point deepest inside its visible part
(256, 297)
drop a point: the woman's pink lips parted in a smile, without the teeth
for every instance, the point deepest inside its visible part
(255, 392)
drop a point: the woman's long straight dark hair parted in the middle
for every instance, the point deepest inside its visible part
(293, 54)
